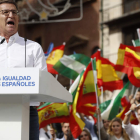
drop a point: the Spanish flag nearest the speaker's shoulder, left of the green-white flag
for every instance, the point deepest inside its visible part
(53, 57)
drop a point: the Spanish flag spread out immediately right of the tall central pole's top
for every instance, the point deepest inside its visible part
(106, 74)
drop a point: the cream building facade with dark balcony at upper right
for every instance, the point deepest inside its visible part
(119, 20)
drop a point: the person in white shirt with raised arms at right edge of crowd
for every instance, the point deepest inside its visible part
(132, 130)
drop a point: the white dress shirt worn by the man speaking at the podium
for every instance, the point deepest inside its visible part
(12, 54)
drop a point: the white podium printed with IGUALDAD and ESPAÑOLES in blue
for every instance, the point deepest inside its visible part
(19, 87)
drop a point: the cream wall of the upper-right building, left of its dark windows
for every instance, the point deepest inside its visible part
(111, 41)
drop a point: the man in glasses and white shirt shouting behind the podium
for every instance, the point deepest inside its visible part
(12, 52)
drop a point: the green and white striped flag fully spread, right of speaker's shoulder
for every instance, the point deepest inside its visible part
(71, 66)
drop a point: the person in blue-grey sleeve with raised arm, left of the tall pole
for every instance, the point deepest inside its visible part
(89, 124)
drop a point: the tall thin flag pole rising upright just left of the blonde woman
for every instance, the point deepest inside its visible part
(93, 62)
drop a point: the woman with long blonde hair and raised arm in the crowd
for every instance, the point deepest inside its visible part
(115, 130)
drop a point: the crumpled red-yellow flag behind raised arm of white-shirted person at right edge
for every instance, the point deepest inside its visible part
(126, 106)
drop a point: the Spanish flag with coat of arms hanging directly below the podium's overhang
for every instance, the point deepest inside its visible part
(53, 113)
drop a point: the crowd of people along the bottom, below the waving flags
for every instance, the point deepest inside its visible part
(115, 129)
